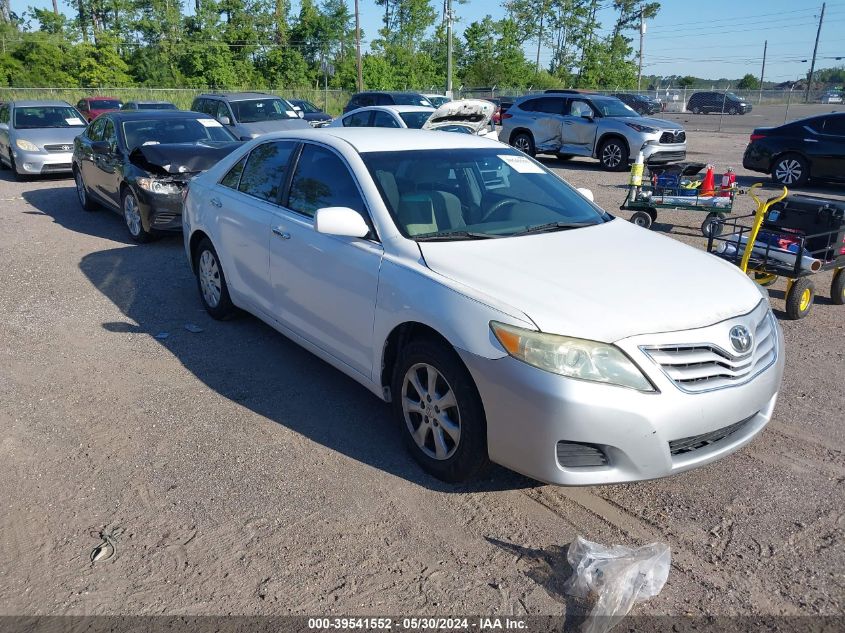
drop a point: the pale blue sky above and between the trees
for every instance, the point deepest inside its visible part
(727, 41)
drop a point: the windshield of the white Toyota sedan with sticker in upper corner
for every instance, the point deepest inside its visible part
(475, 193)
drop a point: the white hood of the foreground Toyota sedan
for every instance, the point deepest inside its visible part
(605, 282)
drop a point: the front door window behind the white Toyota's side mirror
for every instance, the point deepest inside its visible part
(322, 180)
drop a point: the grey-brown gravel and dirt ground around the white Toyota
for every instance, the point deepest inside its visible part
(249, 477)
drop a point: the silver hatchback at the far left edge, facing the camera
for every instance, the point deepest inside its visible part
(36, 137)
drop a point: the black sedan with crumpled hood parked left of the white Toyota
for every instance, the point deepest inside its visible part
(139, 163)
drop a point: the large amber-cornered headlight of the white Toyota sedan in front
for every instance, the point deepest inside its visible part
(572, 357)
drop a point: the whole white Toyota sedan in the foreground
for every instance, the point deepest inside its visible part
(459, 280)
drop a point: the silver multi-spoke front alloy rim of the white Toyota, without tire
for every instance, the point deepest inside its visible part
(431, 411)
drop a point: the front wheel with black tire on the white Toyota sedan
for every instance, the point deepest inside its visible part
(437, 405)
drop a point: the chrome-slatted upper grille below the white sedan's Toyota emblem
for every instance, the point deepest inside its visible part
(704, 367)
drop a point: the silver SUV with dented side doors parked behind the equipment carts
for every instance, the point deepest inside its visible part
(576, 124)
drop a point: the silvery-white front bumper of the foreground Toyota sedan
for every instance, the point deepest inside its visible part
(529, 411)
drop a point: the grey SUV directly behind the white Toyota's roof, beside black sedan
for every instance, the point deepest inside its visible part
(250, 114)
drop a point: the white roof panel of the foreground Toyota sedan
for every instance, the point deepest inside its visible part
(371, 139)
